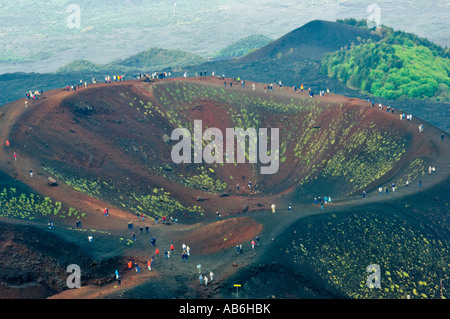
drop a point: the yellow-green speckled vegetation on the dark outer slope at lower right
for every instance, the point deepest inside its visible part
(412, 259)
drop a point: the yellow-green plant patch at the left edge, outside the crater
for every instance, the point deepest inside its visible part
(31, 206)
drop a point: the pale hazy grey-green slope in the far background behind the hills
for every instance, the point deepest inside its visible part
(35, 36)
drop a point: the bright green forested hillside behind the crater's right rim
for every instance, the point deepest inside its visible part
(399, 66)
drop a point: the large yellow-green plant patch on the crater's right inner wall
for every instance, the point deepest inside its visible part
(344, 149)
